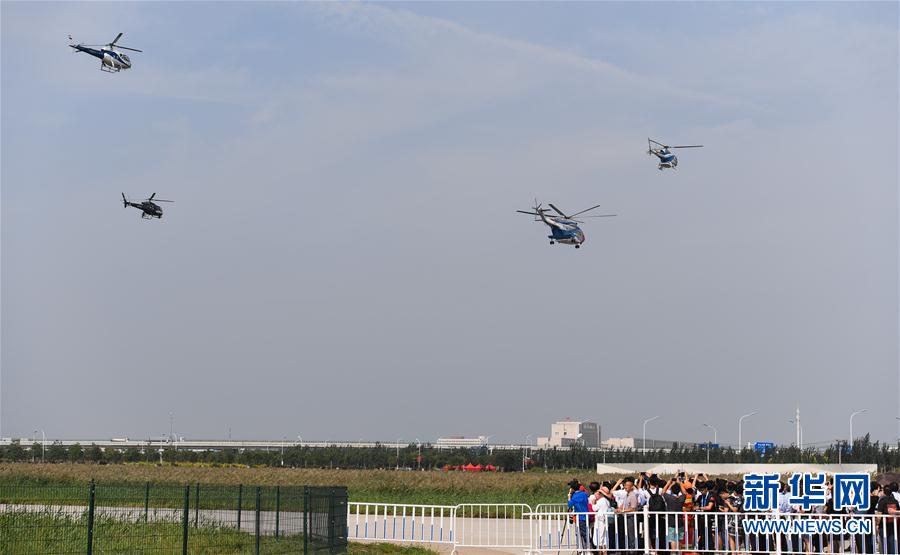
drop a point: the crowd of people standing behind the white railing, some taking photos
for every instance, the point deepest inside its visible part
(704, 515)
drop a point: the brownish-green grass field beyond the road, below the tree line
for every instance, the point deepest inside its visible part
(387, 486)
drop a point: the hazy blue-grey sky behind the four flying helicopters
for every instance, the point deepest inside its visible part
(344, 260)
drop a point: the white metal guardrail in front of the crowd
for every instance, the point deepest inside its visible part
(517, 527)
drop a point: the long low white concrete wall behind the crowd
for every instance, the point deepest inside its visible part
(725, 469)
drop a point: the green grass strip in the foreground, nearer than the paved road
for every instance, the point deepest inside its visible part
(28, 533)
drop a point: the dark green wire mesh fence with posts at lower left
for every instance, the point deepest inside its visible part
(153, 518)
